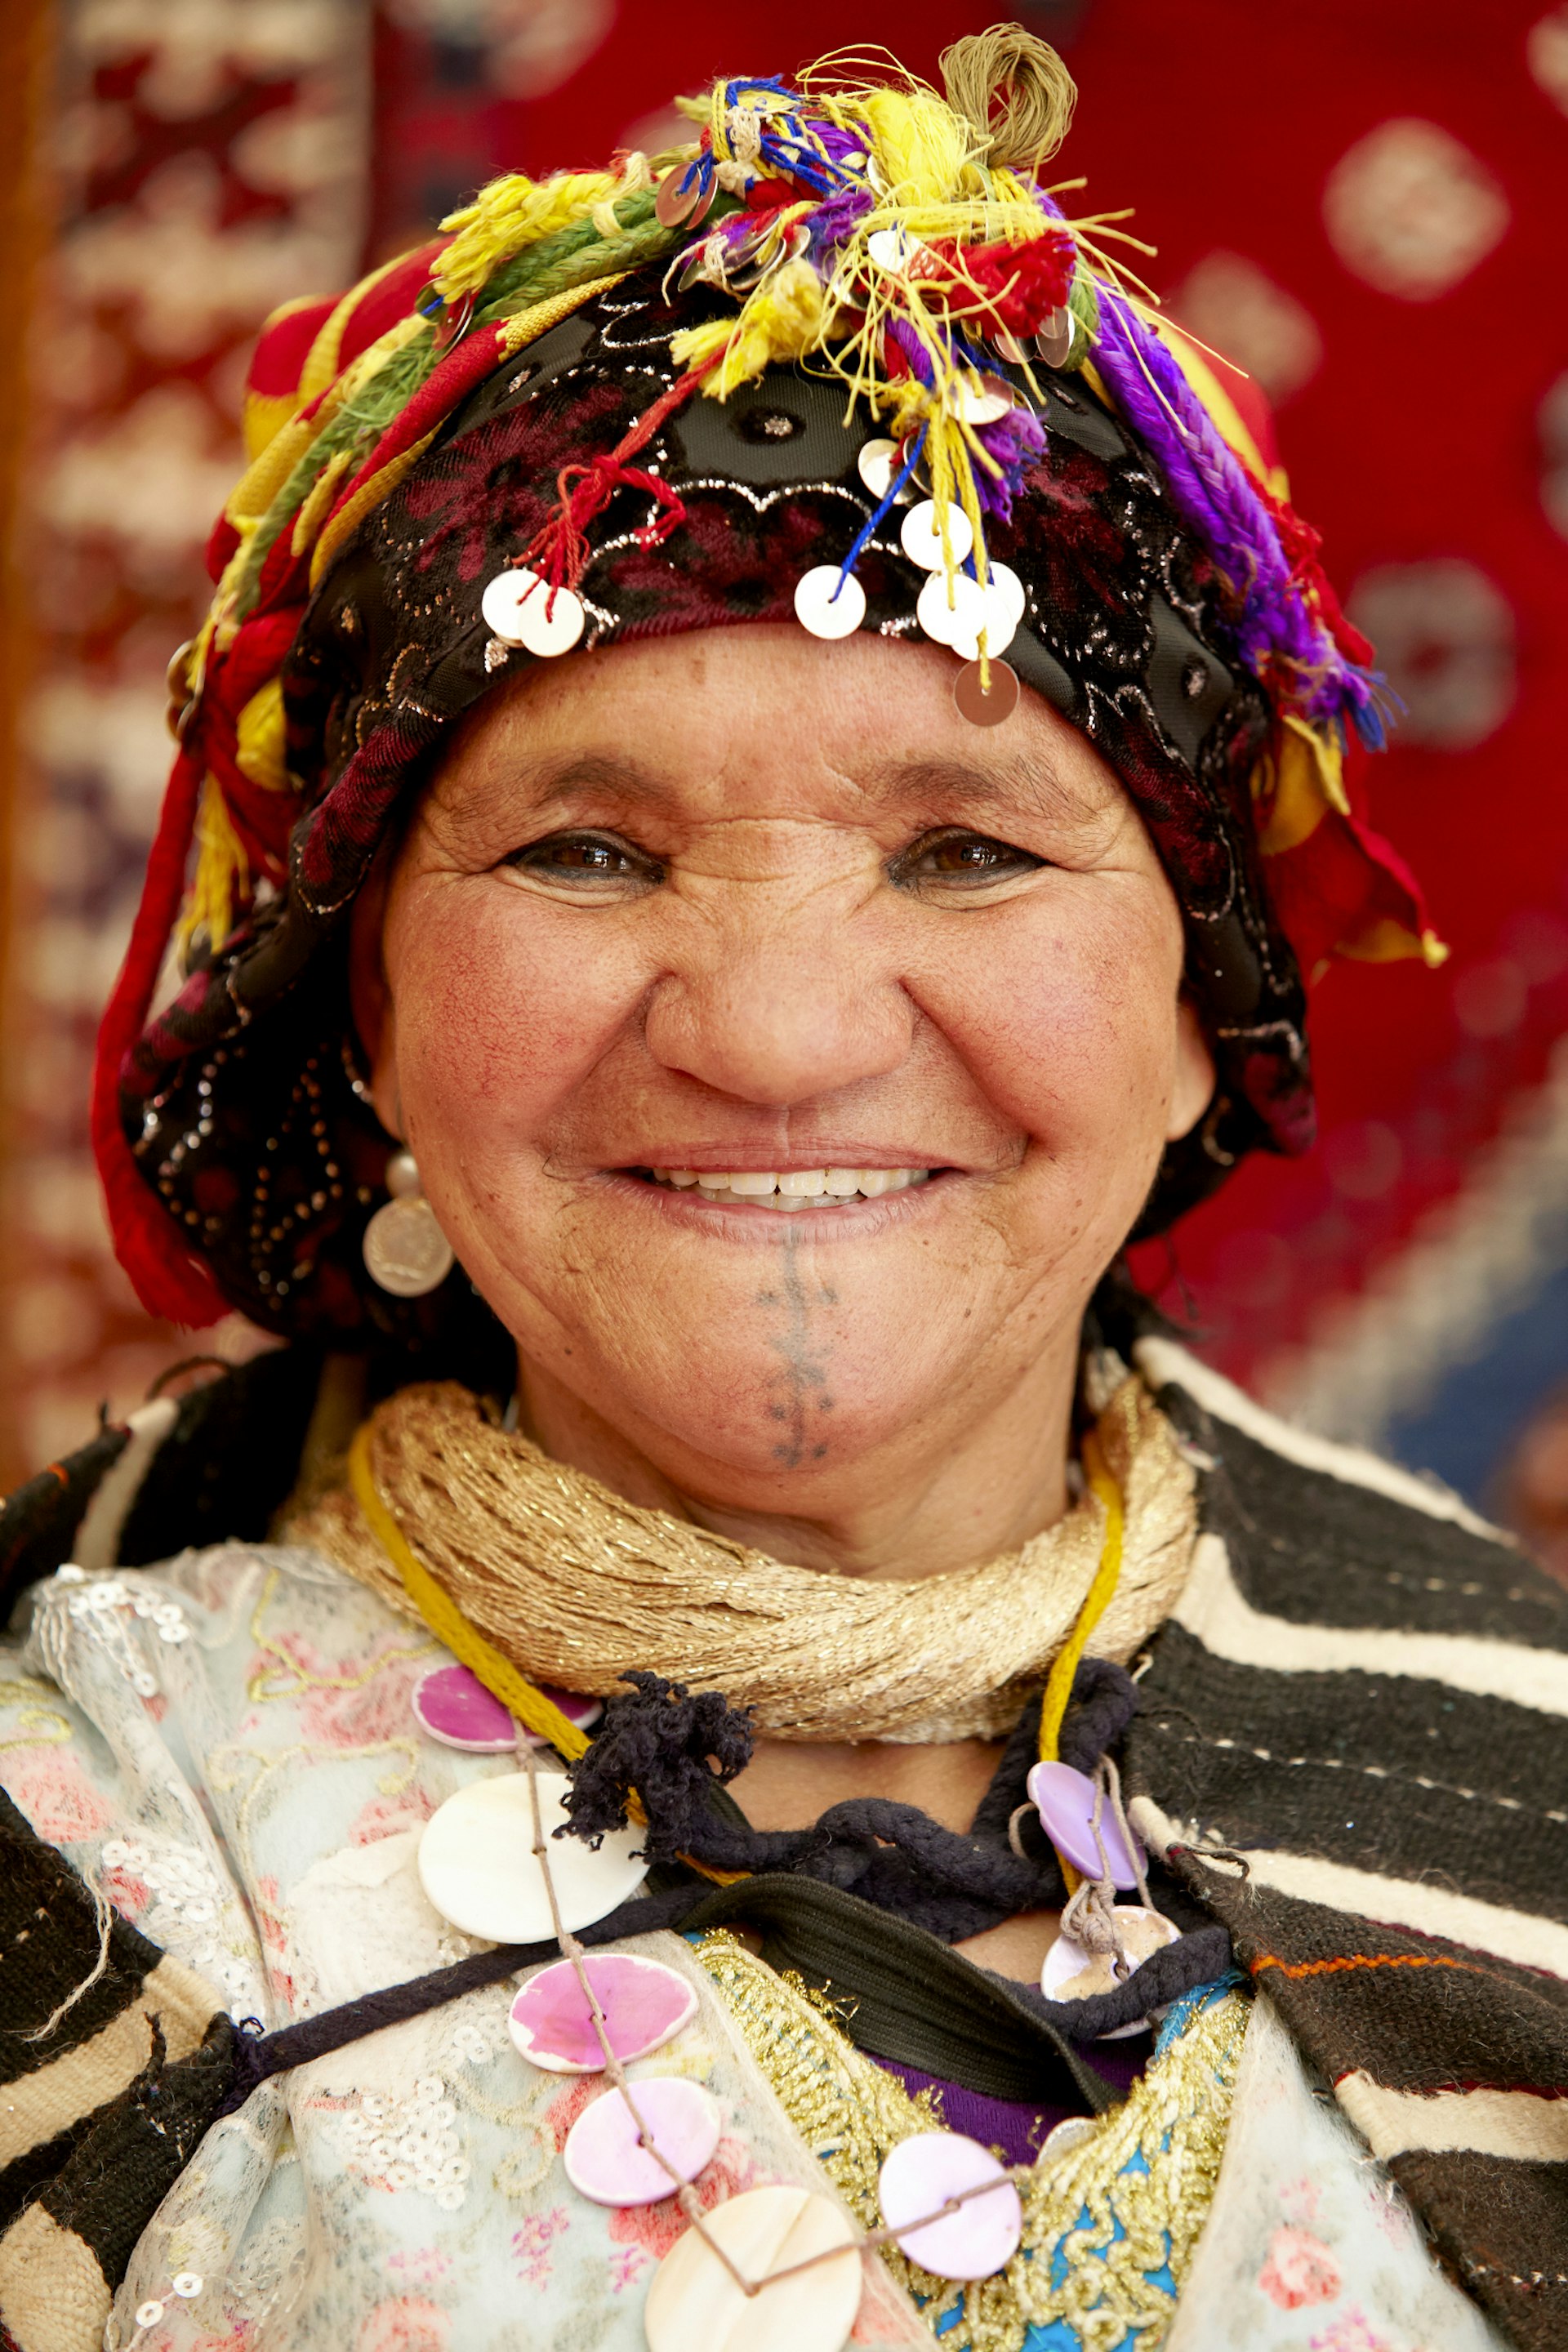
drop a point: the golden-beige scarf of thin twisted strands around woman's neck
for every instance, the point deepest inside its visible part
(575, 1584)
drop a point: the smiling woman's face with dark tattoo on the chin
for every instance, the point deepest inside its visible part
(744, 904)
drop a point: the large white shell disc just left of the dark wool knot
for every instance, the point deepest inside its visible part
(481, 1873)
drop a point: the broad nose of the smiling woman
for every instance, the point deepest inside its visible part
(779, 1013)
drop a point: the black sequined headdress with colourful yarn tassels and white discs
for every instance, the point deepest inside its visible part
(840, 356)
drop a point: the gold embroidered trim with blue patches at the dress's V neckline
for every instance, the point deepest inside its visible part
(852, 2113)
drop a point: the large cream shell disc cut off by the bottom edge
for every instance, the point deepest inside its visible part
(695, 2306)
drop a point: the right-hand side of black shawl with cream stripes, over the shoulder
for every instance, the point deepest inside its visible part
(1353, 1746)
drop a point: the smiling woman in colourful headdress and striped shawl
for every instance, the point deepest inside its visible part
(732, 1746)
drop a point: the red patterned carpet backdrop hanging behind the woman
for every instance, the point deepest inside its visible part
(1360, 201)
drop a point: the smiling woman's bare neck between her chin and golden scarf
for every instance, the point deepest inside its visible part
(918, 1506)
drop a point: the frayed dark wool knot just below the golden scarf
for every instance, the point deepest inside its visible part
(666, 1744)
